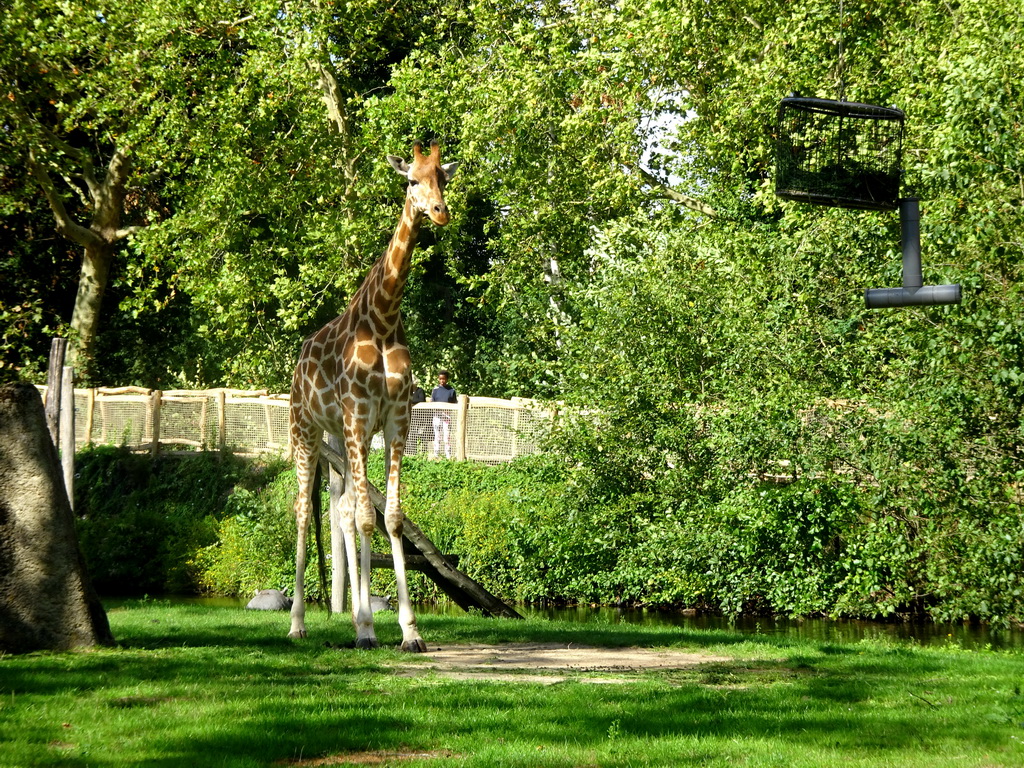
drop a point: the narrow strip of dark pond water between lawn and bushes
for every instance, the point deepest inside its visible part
(822, 630)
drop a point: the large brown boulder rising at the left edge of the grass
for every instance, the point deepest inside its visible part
(47, 600)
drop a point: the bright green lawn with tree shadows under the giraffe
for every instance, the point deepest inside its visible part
(205, 687)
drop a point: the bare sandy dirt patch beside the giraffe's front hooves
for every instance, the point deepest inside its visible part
(552, 663)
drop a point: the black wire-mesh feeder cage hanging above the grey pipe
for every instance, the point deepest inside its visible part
(839, 154)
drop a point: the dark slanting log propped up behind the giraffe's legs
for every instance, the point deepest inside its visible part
(421, 554)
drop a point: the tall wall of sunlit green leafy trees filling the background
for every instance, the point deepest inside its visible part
(616, 245)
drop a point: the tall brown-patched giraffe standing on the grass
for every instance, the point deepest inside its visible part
(353, 380)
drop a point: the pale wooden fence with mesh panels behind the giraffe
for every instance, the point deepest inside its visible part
(257, 422)
